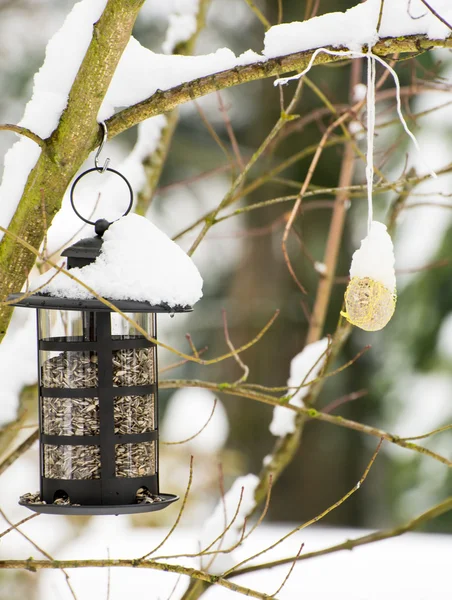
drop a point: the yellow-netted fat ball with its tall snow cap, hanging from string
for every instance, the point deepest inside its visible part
(370, 297)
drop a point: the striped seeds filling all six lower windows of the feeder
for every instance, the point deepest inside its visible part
(80, 416)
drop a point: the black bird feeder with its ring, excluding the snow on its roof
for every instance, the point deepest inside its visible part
(98, 398)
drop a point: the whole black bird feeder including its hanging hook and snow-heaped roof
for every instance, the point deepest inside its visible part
(98, 377)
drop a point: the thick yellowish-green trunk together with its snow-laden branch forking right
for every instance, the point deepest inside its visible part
(78, 133)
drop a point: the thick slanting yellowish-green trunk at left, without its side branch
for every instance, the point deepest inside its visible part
(69, 145)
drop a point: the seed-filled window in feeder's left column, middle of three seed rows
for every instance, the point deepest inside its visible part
(70, 416)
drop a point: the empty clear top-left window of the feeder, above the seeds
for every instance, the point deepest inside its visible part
(71, 324)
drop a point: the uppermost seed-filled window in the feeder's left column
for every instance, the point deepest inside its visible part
(68, 369)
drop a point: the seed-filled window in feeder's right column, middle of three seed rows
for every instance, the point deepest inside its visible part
(134, 414)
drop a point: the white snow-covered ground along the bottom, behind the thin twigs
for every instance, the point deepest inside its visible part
(414, 566)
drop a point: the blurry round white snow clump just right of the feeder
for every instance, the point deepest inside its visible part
(187, 412)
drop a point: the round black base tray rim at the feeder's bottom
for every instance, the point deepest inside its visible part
(105, 509)
